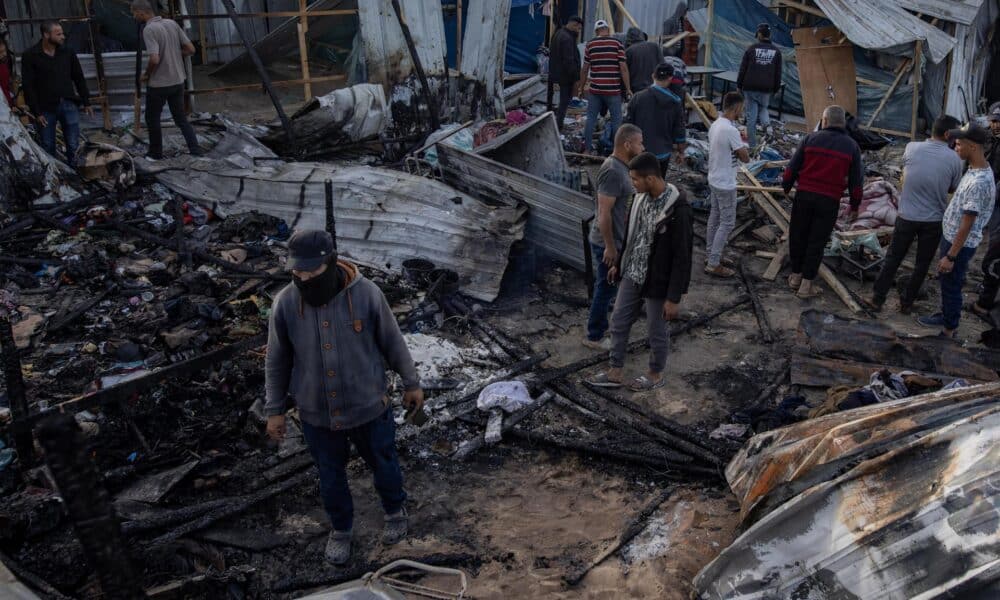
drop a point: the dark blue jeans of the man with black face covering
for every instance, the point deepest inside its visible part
(376, 443)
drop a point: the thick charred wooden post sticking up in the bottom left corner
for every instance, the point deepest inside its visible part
(89, 506)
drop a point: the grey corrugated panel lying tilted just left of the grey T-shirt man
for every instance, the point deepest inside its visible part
(556, 214)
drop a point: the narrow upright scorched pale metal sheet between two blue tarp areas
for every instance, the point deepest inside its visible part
(484, 46)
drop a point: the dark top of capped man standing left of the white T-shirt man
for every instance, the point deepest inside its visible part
(659, 113)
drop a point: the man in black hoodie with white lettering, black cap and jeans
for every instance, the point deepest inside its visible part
(759, 78)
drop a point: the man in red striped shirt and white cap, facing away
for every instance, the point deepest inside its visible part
(604, 67)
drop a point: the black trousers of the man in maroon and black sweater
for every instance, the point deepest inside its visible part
(813, 218)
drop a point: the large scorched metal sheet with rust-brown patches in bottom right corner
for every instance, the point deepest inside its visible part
(897, 500)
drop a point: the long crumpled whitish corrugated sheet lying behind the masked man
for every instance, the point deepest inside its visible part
(383, 216)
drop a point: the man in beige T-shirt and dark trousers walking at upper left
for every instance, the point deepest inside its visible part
(167, 45)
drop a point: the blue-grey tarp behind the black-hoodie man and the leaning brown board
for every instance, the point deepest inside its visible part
(734, 26)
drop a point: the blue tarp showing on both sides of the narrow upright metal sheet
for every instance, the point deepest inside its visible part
(525, 34)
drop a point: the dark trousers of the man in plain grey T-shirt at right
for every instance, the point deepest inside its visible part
(928, 236)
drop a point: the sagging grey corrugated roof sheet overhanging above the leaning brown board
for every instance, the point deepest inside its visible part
(886, 27)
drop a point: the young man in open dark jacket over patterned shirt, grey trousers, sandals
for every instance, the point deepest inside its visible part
(654, 270)
